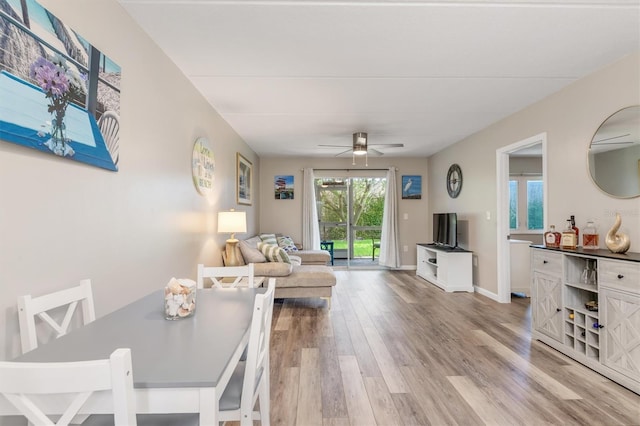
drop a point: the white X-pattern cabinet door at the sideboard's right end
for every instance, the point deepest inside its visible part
(621, 320)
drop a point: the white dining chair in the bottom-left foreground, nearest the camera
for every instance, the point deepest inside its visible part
(28, 385)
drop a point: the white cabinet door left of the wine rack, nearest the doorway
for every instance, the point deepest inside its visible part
(547, 308)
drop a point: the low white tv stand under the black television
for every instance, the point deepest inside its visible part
(447, 267)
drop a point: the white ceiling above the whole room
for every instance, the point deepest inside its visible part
(289, 75)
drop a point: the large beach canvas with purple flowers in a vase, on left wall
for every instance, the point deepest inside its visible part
(53, 98)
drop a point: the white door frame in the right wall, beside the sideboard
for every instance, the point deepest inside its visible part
(536, 145)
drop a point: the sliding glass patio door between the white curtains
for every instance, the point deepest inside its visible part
(350, 211)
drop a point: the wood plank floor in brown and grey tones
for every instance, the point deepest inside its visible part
(396, 350)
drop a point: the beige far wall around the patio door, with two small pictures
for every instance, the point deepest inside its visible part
(286, 215)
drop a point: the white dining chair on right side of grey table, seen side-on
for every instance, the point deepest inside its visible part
(249, 382)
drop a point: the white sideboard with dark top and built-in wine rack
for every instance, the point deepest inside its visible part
(604, 335)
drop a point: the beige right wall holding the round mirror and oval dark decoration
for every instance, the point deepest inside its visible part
(569, 118)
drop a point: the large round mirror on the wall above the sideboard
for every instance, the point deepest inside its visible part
(614, 154)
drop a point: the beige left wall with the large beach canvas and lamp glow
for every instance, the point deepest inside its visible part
(129, 231)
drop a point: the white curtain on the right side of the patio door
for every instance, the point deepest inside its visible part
(389, 245)
